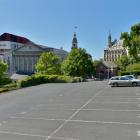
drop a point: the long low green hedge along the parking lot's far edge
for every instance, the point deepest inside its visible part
(40, 79)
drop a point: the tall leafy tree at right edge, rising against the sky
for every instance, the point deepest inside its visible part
(132, 41)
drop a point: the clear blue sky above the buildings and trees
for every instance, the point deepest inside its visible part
(52, 22)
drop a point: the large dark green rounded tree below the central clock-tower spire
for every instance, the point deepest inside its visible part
(78, 63)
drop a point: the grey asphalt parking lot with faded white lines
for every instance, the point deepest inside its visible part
(83, 111)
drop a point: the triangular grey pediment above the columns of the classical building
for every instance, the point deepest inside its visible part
(29, 48)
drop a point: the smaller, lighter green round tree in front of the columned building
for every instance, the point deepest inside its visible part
(49, 63)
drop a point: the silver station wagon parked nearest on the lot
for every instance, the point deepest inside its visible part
(123, 81)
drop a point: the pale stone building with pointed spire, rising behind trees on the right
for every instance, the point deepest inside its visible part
(114, 50)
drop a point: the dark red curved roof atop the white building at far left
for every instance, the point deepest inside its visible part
(13, 38)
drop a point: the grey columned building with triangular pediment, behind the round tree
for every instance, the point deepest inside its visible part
(26, 57)
